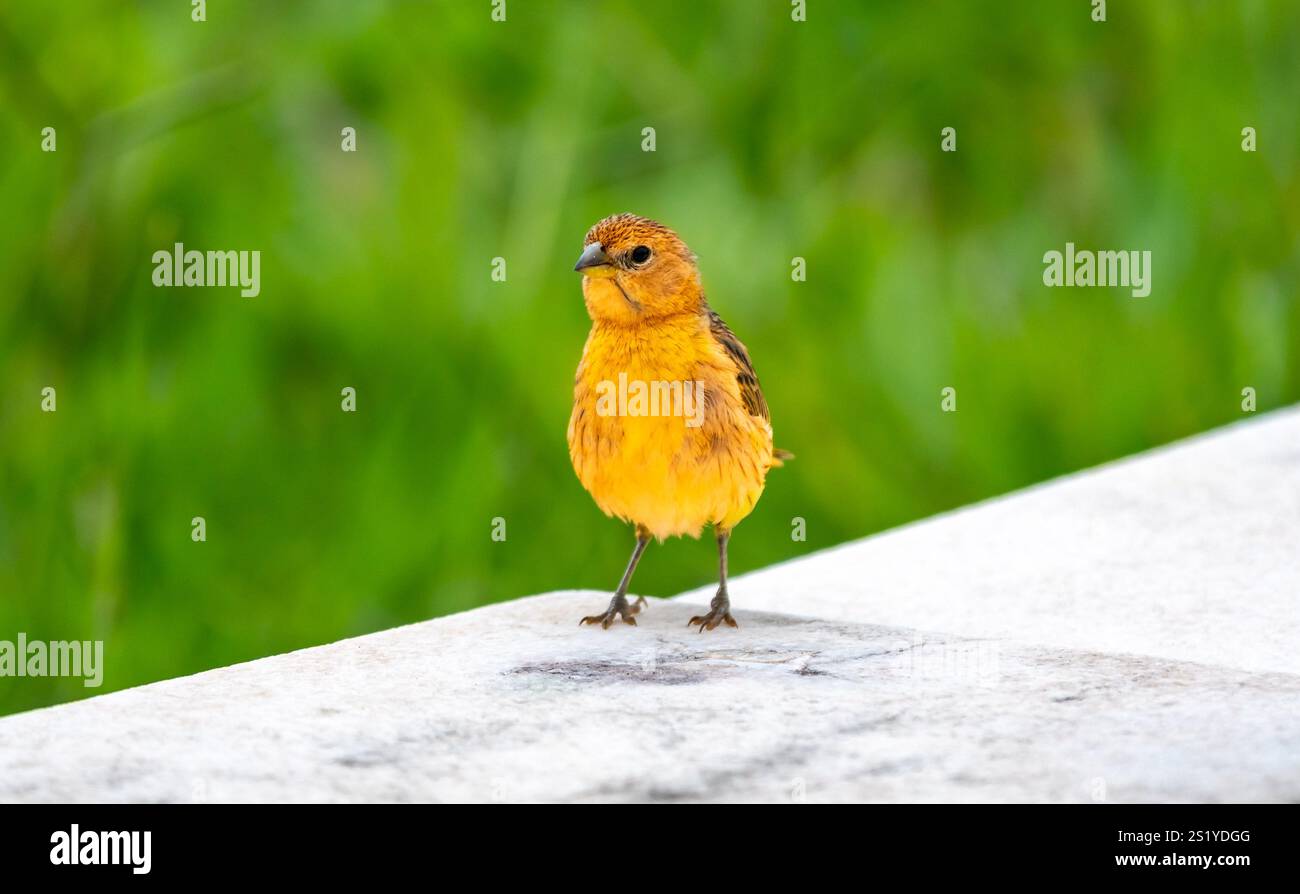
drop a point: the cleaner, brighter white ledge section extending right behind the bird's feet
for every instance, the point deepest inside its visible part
(1189, 553)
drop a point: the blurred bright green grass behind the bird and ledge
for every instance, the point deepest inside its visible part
(480, 140)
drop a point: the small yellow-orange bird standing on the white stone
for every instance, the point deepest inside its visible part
(670, 429)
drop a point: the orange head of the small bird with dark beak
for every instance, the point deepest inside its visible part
(636, 270)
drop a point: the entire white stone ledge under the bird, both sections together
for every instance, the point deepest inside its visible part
(1129, 632)
